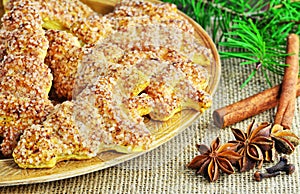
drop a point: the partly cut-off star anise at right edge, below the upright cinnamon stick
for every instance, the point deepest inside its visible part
(285, 140)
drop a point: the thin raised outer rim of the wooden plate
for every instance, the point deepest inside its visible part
(125, 157)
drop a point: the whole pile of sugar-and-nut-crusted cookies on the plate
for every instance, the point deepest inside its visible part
(141, 59)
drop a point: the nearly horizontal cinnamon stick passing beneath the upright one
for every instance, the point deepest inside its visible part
(249, 107)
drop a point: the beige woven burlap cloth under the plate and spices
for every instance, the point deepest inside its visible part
(163, 170)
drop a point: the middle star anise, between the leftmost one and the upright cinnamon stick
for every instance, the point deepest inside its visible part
(252, 145)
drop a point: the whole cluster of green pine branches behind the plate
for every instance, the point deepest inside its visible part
(255, 29)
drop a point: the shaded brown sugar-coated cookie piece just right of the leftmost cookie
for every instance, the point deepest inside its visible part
(63, 57)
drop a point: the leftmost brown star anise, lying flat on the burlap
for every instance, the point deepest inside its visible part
(215, 159)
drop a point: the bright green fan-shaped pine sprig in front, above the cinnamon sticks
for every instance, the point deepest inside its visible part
(246, 36)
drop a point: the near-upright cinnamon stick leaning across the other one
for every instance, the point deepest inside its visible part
(286, 106)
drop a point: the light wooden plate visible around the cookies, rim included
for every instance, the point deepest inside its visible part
(11, 174)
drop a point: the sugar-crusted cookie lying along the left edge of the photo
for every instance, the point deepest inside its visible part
(25, 80)
